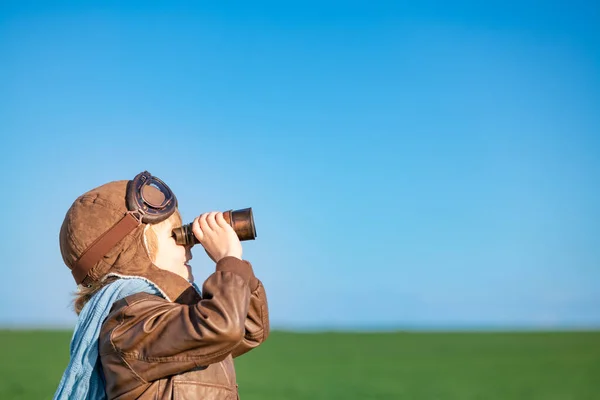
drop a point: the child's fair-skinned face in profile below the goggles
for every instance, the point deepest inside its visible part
(171, 256)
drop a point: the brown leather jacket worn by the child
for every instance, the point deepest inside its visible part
(151, 348)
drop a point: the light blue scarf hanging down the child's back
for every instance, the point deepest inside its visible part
(83, 378)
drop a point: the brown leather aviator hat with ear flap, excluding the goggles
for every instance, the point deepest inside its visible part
(92, 215)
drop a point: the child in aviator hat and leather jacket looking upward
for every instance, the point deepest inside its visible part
(144, 330)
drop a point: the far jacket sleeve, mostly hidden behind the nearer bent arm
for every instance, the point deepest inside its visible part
(256, 327)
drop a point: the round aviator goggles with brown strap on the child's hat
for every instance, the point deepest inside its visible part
(149, 201)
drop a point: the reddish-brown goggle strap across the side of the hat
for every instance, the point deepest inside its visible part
(104, 244)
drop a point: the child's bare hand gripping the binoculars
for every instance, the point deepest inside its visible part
(216, 236)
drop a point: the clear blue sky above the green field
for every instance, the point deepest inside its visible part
(428, 165)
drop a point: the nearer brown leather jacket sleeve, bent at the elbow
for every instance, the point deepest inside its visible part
(158, 338)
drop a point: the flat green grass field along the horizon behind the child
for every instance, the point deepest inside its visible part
(453, 366)
